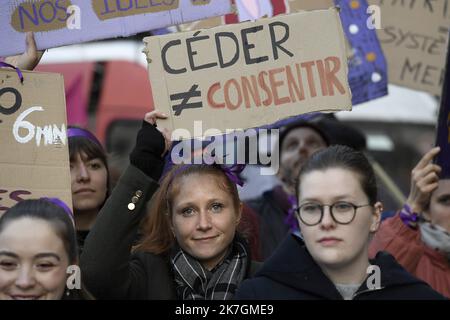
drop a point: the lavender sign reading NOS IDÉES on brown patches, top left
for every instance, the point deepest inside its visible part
(63, 22)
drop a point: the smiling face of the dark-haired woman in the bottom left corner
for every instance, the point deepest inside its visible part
(33, 261)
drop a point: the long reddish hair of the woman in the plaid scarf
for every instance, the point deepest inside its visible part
(156, 227)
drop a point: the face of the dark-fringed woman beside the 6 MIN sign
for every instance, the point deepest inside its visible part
(89, 182)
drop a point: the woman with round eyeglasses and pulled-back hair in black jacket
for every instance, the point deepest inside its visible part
(337, 213)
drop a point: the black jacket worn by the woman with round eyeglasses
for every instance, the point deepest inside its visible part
(291, 273)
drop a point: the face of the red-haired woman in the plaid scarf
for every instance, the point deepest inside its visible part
(204, 218)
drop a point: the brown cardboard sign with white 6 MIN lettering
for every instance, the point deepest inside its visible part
(34, 160)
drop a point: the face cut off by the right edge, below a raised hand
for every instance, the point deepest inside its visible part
(439, 210)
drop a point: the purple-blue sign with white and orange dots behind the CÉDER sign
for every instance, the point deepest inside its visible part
(367, 75)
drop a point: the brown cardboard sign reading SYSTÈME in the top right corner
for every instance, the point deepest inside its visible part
(413, 36)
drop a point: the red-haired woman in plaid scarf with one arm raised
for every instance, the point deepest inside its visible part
(190, 248)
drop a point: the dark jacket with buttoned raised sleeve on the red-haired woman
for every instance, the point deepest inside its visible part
(108, 269)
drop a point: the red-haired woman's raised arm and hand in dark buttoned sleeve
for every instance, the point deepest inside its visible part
(109, 270)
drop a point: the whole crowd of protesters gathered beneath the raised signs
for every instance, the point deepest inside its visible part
(178, 233)
